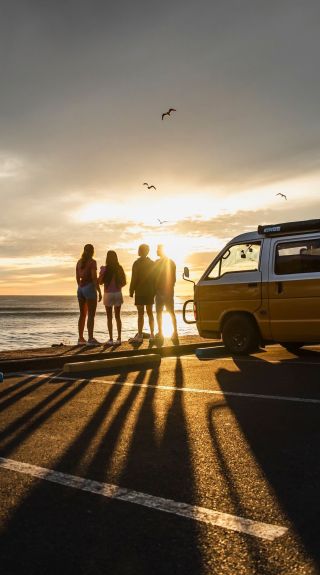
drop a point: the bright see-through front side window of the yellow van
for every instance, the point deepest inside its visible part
(237, 258)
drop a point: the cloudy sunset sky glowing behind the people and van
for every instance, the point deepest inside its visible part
(83, 87)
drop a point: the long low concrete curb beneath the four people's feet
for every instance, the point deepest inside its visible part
(46, 363)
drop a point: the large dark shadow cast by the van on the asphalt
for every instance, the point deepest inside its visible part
(282, 436)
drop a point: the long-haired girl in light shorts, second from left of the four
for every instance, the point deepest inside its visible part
(113, 278)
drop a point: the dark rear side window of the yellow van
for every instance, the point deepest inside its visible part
(297, 257)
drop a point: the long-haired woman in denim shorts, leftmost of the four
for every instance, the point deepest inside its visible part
(88, 288)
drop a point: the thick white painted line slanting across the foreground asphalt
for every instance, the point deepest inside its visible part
(194, 512)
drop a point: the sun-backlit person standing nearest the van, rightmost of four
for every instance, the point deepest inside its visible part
(165, 279)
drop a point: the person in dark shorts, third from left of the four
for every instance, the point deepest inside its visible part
(142, 287)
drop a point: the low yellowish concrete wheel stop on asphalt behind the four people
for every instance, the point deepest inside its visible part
(153, 359)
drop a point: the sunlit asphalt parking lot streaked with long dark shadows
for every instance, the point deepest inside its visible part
(198, 466)
